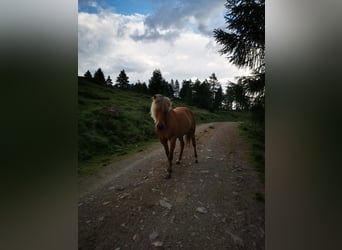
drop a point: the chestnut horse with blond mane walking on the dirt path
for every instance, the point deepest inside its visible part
(170, 124)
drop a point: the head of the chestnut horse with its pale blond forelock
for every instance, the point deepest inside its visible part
(159, 108)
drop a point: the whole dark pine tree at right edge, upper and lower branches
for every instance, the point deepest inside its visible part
(244, 45)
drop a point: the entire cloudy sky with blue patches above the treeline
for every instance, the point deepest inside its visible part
(140, 36)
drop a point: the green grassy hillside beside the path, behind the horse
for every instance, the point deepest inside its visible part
(114, 123)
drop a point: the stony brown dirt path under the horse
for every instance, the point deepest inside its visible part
(208, 205)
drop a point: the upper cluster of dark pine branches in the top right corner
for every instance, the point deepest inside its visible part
(244, 41)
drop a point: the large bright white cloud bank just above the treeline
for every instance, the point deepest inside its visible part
(113, 42)
